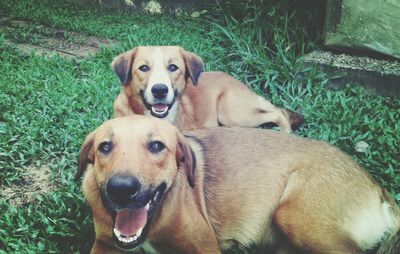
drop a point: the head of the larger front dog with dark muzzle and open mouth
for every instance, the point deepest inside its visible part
(136, 160)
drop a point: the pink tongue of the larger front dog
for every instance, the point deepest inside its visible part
(128, 222)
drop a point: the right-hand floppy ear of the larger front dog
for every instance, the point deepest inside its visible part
(185, 158)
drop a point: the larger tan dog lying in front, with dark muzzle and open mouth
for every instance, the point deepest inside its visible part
(219, 187)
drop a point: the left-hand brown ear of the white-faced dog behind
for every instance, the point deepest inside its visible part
(122, 65)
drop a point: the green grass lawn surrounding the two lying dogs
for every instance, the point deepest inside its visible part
(48, 104)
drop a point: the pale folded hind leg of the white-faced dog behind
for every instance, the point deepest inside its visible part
(249, 110)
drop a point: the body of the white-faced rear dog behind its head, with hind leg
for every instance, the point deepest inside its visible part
(219, 99)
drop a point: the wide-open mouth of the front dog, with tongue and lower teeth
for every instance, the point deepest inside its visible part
(131, 225)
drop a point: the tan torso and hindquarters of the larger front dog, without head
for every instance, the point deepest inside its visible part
(314, 194)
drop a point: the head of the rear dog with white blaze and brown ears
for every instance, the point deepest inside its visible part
(157, 75)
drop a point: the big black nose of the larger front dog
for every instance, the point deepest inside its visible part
(122, 189)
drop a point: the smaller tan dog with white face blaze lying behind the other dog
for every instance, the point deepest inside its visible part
(160, 81)
